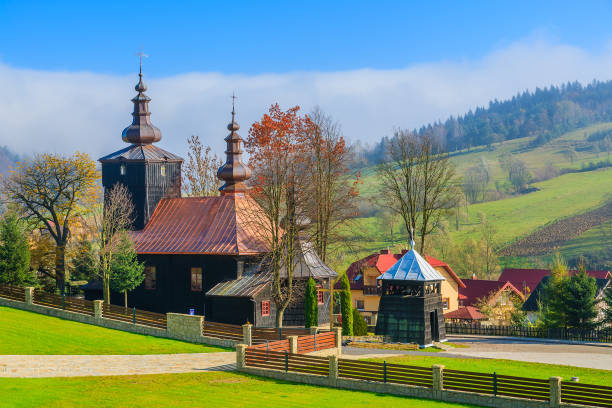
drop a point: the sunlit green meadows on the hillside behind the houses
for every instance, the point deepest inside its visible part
(514, 216)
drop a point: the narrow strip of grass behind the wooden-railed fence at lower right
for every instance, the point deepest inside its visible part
(508, 367)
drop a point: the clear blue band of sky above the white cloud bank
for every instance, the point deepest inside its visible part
(253, 37)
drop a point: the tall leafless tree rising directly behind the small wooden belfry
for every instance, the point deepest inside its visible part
(417, 182)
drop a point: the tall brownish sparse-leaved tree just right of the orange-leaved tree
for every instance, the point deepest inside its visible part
(334, 189)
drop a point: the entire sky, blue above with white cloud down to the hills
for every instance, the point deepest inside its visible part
(67, 68)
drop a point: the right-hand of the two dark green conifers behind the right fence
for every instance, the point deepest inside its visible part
(579, 299)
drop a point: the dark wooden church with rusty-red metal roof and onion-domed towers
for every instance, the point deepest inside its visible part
(200, 253)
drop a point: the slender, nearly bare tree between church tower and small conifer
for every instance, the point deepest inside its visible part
(112, 219)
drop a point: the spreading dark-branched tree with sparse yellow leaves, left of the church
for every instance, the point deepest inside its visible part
(52, 192)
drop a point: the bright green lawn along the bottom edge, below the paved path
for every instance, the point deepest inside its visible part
(189, 390)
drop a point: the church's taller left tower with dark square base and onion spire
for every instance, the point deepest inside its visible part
(149, 173)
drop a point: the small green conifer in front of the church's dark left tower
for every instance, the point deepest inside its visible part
(126, 271)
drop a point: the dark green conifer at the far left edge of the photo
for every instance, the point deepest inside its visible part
(14, 251)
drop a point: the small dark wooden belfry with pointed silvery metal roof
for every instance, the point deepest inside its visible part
(411, 308)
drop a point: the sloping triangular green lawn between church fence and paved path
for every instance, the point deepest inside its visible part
(24, 332)
